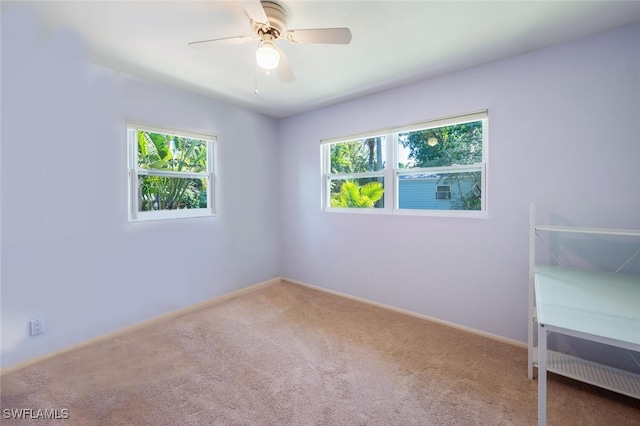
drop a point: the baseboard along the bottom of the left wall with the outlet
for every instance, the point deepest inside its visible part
(137, 326)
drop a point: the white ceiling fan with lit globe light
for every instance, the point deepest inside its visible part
(269, 22)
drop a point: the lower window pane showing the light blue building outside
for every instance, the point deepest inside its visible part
(441, 191)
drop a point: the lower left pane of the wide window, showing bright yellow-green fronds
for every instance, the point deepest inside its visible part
(357, 193)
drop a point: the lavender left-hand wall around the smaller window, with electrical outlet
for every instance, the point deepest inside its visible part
(69, 254)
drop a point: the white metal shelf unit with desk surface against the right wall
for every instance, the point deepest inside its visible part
(608, 292)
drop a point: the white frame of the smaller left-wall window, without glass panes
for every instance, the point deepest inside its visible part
(132, 127)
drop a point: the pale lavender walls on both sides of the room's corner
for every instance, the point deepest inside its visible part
(564, 133)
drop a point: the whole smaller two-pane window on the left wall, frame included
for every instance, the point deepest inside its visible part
(171, 173)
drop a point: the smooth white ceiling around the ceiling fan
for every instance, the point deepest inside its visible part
(394, 42)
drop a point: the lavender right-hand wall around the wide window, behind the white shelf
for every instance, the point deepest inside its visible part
(564, 131)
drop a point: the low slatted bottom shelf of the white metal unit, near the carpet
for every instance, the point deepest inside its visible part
(604, 376)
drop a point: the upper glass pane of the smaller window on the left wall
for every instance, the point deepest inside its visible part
(167, 152)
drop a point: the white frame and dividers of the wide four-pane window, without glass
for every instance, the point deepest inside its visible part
(391, 173)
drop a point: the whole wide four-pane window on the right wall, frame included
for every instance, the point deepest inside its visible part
(430, 168)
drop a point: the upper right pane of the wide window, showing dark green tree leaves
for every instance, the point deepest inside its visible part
(458, 144)
